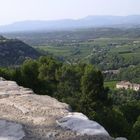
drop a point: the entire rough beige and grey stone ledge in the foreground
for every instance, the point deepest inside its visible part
(27, 116)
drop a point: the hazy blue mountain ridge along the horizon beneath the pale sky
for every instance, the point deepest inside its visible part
(87, 22)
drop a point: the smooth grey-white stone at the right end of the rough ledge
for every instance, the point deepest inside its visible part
(81, 124)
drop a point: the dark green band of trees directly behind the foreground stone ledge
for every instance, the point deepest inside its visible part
(81, 86)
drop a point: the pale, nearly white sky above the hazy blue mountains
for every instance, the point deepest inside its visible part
(20, 10)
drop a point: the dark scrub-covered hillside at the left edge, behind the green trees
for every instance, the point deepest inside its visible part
(14, 52)
